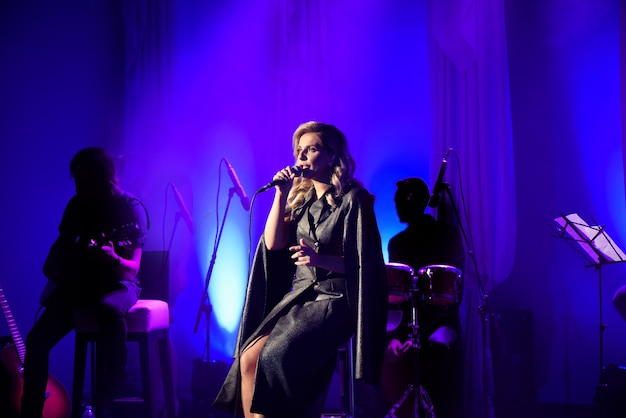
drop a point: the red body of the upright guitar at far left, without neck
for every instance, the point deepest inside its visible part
(57, 404)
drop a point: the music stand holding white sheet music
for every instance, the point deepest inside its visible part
(598, 248)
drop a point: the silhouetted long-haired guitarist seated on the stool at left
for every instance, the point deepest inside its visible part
(93, 263)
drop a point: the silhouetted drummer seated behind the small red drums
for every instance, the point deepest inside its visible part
(433, 250)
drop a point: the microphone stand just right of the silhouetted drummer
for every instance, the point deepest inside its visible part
(485, 308)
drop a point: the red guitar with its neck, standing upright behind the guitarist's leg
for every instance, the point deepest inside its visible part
(57, 403)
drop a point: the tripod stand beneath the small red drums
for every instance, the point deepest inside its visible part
(420, 395)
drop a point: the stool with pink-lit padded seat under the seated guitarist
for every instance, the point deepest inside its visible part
(147, 321)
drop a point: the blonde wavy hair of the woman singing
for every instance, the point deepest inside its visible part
(343, 165)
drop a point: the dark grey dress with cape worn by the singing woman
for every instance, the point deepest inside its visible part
(310, 315)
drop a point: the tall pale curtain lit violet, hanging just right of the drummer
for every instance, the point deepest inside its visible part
(469, 75)
